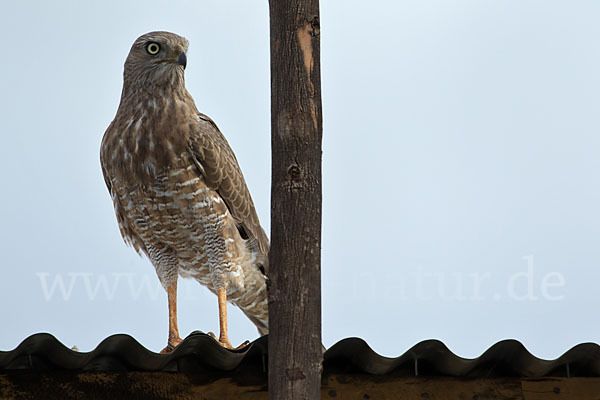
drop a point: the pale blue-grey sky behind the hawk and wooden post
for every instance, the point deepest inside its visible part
(461, 159)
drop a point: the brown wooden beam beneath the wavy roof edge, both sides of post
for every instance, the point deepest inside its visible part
(183, 386)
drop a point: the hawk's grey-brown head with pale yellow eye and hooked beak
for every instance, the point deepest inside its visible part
(156, 58)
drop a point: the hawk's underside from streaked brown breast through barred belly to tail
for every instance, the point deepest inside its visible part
(166, 210)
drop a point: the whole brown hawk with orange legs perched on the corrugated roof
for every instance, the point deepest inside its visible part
(178, 192)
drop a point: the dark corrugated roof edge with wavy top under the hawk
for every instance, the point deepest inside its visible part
(200, 353)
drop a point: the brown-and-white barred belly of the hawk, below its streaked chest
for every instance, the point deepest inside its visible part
(186, 229)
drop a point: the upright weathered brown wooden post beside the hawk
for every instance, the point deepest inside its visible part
(295, 353)
